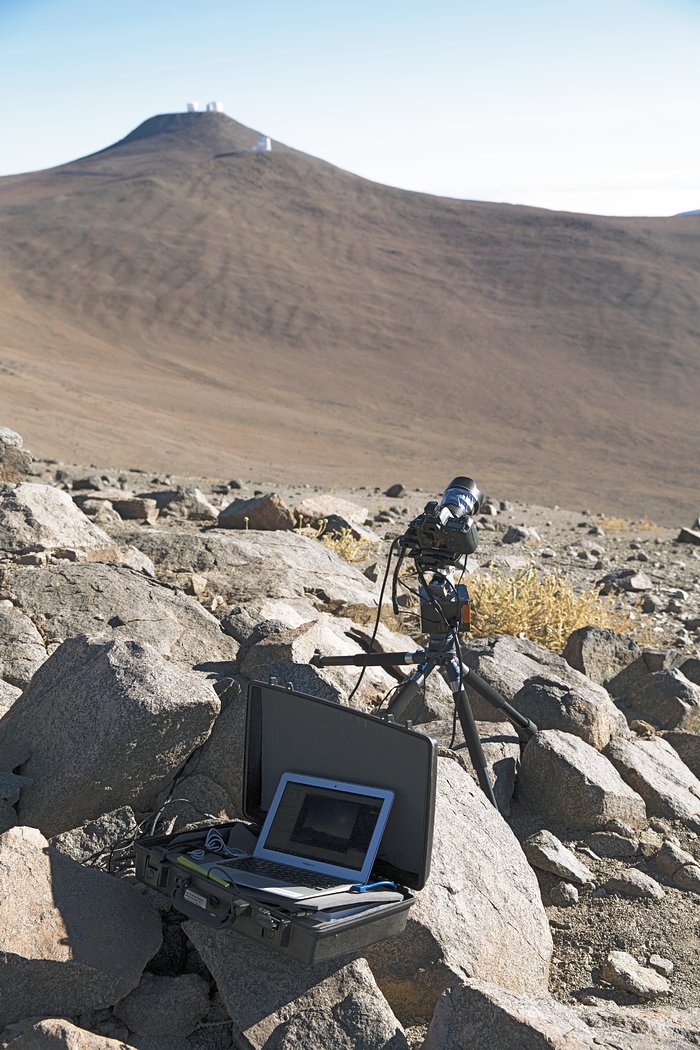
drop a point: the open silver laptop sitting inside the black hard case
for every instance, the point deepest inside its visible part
(321, 836)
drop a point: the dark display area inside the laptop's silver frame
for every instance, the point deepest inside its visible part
(332, 827)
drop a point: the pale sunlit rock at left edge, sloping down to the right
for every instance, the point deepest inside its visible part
(40, 515)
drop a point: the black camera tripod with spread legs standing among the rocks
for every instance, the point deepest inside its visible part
(442, 605)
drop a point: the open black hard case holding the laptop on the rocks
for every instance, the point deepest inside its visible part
(292, 732)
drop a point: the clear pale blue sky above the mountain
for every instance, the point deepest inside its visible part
(581, 107)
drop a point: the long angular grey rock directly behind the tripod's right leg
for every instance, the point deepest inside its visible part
(543, 687)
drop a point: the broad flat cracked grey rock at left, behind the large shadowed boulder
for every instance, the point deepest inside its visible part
(72, 600)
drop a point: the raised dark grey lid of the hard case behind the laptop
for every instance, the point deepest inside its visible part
(295, 733)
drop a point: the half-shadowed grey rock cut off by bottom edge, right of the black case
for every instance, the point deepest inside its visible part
(484, 1017)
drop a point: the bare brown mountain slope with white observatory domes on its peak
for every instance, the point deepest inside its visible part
(178, 302)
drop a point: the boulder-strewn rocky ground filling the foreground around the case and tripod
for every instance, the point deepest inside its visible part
(605, 802)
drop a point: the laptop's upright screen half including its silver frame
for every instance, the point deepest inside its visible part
(325, 826)
